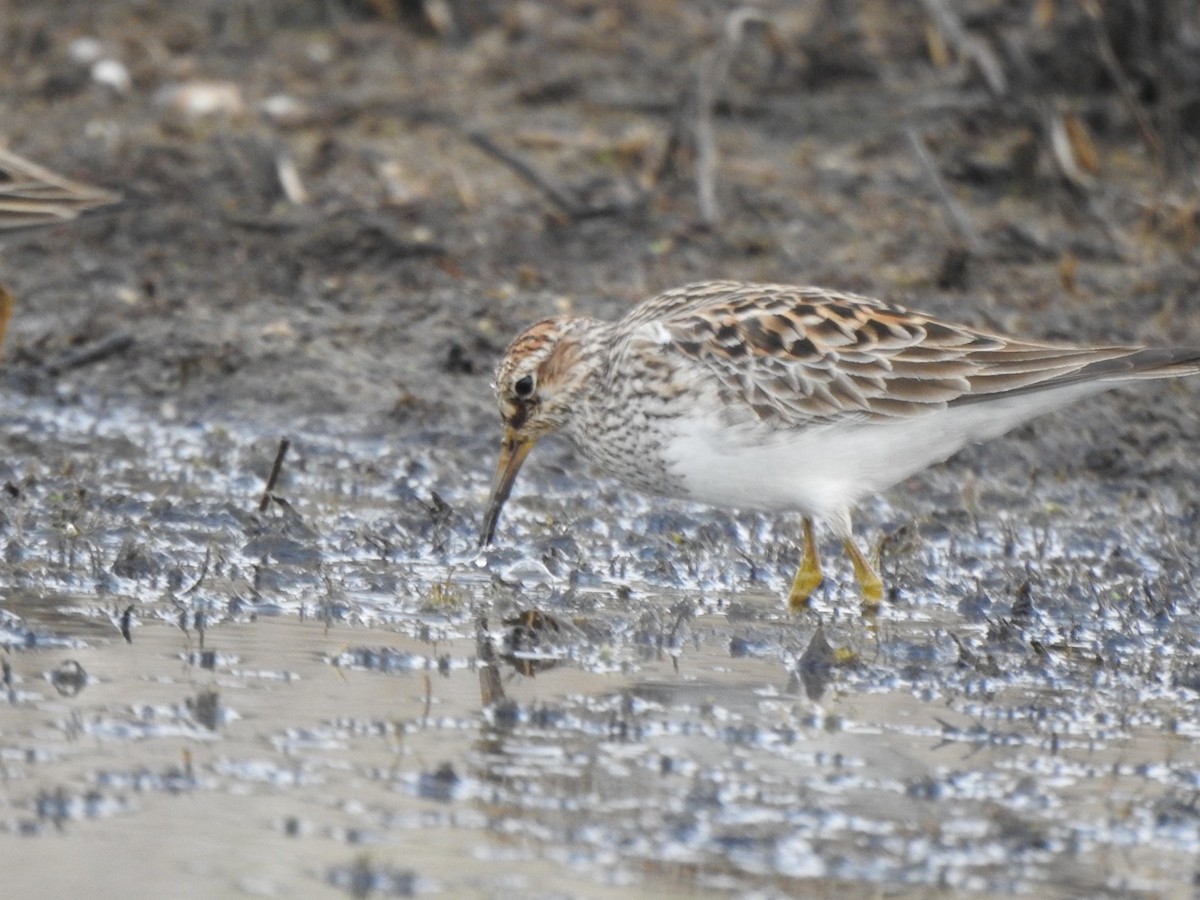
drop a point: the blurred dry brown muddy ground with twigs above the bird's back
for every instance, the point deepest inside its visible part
(403, 257)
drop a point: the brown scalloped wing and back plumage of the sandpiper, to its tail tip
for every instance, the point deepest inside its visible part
(820, 357)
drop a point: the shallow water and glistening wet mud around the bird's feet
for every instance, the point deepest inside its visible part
(302, 698)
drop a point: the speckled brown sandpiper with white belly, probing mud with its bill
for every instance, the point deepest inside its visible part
(785, 399)
